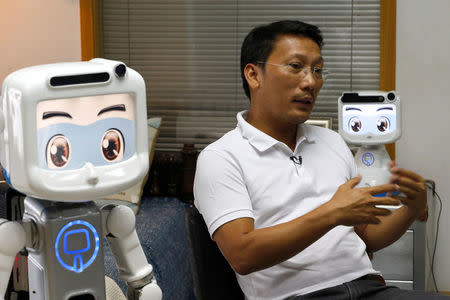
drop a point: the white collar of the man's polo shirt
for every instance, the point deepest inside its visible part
(263, 141)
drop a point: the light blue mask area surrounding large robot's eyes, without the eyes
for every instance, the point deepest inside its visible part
(85, 141)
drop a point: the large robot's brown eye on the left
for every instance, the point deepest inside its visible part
(58, 152)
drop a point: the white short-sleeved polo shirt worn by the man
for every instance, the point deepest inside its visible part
(247, 173)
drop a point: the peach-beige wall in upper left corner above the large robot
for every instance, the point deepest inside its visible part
(38, 32)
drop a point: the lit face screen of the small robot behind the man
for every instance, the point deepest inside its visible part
(369, 119)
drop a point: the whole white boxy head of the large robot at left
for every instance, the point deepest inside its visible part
(74, 131)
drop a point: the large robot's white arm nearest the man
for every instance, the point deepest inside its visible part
(130, 258)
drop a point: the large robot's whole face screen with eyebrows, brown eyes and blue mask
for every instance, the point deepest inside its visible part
(96, 129)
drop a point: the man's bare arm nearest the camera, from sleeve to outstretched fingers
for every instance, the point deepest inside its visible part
(248, 250)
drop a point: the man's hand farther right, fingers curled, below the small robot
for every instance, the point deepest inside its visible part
(413, 188)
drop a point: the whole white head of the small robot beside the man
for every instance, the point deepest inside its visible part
(369, 118)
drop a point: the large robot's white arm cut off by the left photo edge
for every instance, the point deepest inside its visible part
(12, 239)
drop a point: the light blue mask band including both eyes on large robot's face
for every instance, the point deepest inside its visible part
(78, 144)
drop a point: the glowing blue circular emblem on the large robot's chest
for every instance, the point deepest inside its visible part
(76, 264)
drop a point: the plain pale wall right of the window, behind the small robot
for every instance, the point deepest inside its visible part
(423, 82)
